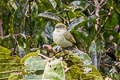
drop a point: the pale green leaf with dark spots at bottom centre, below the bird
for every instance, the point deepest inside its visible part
(54, 70)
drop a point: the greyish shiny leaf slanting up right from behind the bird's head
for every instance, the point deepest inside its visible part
(76, 23)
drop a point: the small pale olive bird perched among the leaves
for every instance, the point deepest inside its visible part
(62, 37)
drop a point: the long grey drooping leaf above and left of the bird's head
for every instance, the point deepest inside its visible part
(50, 15)
